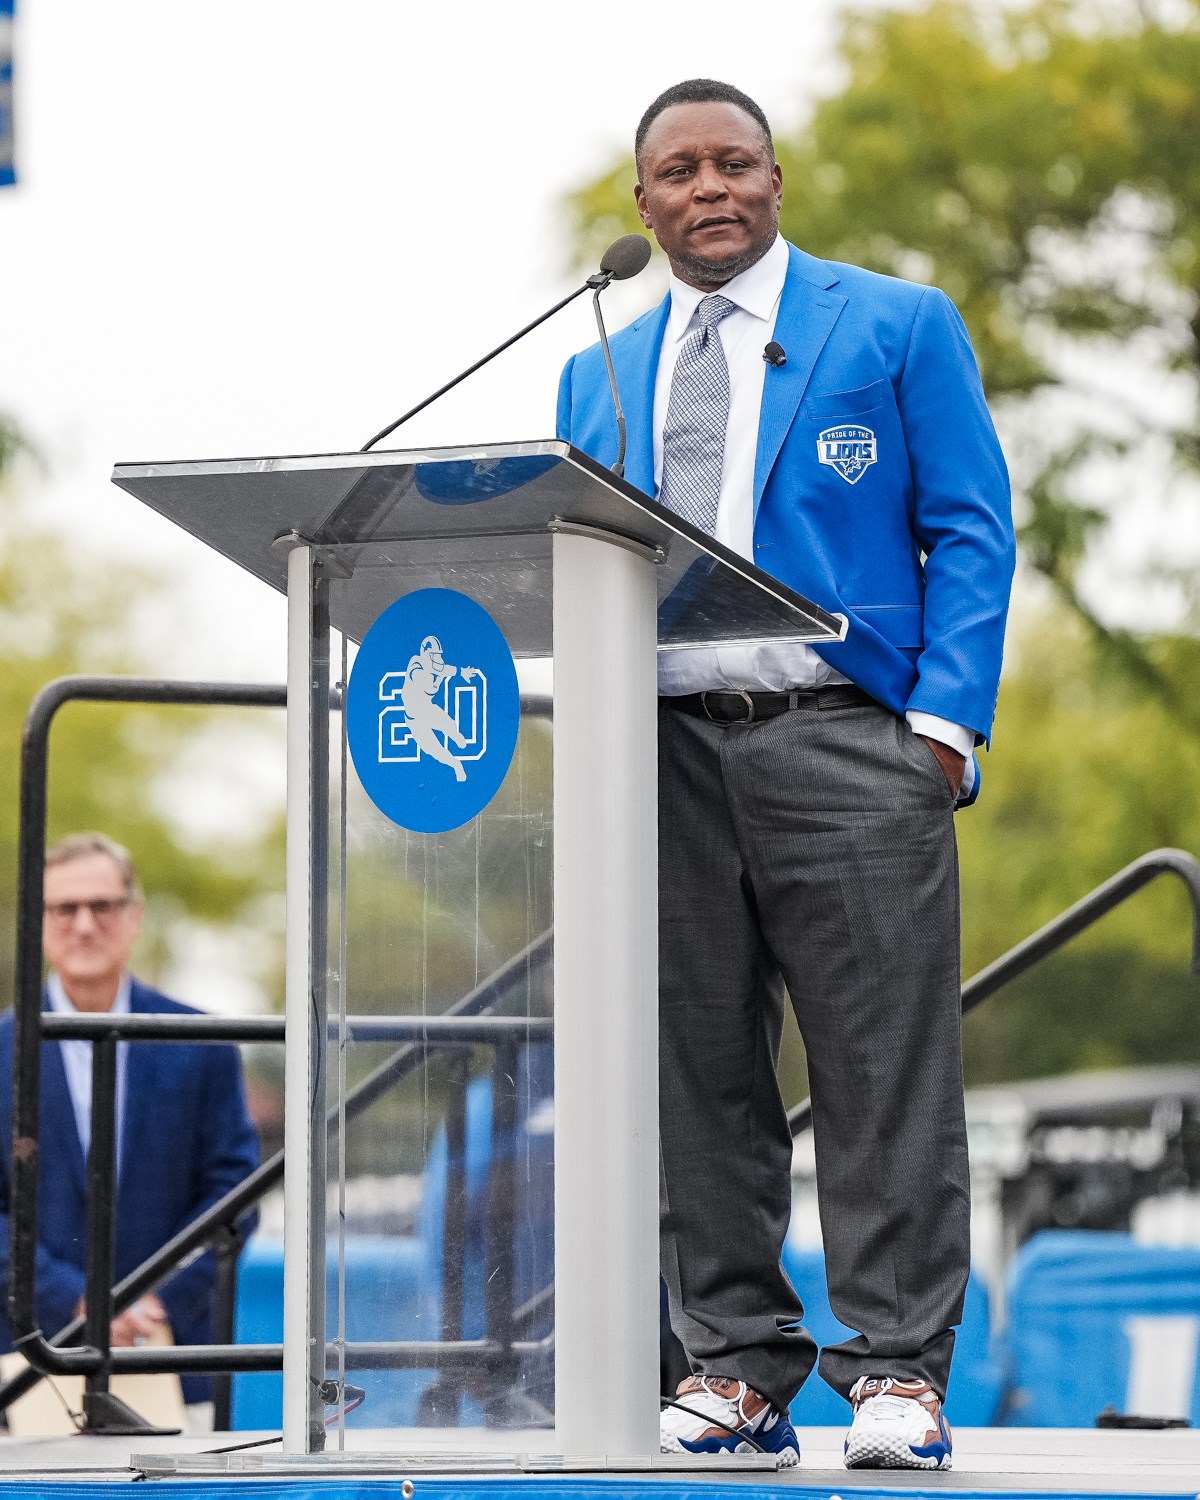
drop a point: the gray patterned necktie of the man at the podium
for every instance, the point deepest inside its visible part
(697, 418)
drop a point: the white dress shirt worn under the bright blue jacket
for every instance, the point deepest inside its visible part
(745, 334)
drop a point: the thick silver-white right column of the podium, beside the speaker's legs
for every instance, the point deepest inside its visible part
(607, 997)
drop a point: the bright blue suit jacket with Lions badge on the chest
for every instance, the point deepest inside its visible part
(919, 550)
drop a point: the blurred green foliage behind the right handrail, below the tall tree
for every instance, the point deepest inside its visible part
(1088, 775)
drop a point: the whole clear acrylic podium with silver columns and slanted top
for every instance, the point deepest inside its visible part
(574, 565)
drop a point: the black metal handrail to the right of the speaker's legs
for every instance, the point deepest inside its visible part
(1063, 929)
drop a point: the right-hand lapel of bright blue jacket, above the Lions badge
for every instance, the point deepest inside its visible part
(808, 313)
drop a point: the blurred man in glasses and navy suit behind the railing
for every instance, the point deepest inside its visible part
(184, 1135)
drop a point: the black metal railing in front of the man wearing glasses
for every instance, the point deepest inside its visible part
(466, 1025)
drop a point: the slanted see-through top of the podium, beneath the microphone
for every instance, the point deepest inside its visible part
(479, 520)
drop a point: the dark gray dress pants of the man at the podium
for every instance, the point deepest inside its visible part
(814, 851)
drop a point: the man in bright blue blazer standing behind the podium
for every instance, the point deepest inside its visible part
(830, 425)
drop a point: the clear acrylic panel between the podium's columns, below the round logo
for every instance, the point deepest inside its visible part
(440, 1193)
